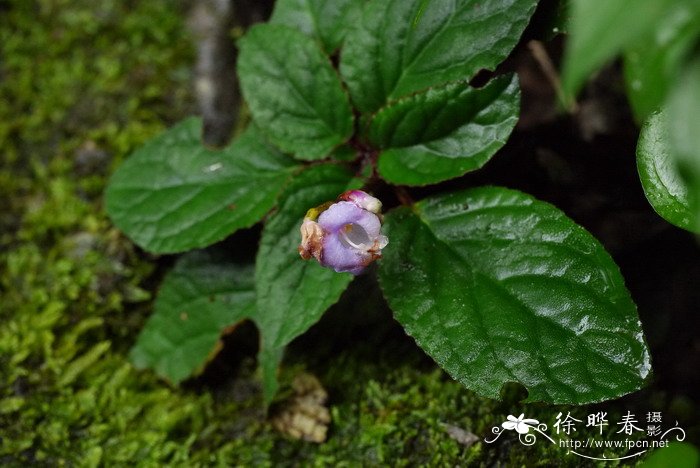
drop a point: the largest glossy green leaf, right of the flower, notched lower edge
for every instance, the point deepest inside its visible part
(499, 287)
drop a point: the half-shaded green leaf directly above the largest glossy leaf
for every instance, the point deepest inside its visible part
(444, 132)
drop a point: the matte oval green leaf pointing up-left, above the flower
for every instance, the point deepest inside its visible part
(293, 92)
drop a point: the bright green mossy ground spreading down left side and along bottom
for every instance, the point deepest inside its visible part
(82, 84)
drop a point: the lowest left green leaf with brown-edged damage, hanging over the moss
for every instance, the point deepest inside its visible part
(199, 298)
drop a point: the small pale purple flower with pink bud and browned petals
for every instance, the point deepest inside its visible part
(344, 235)
